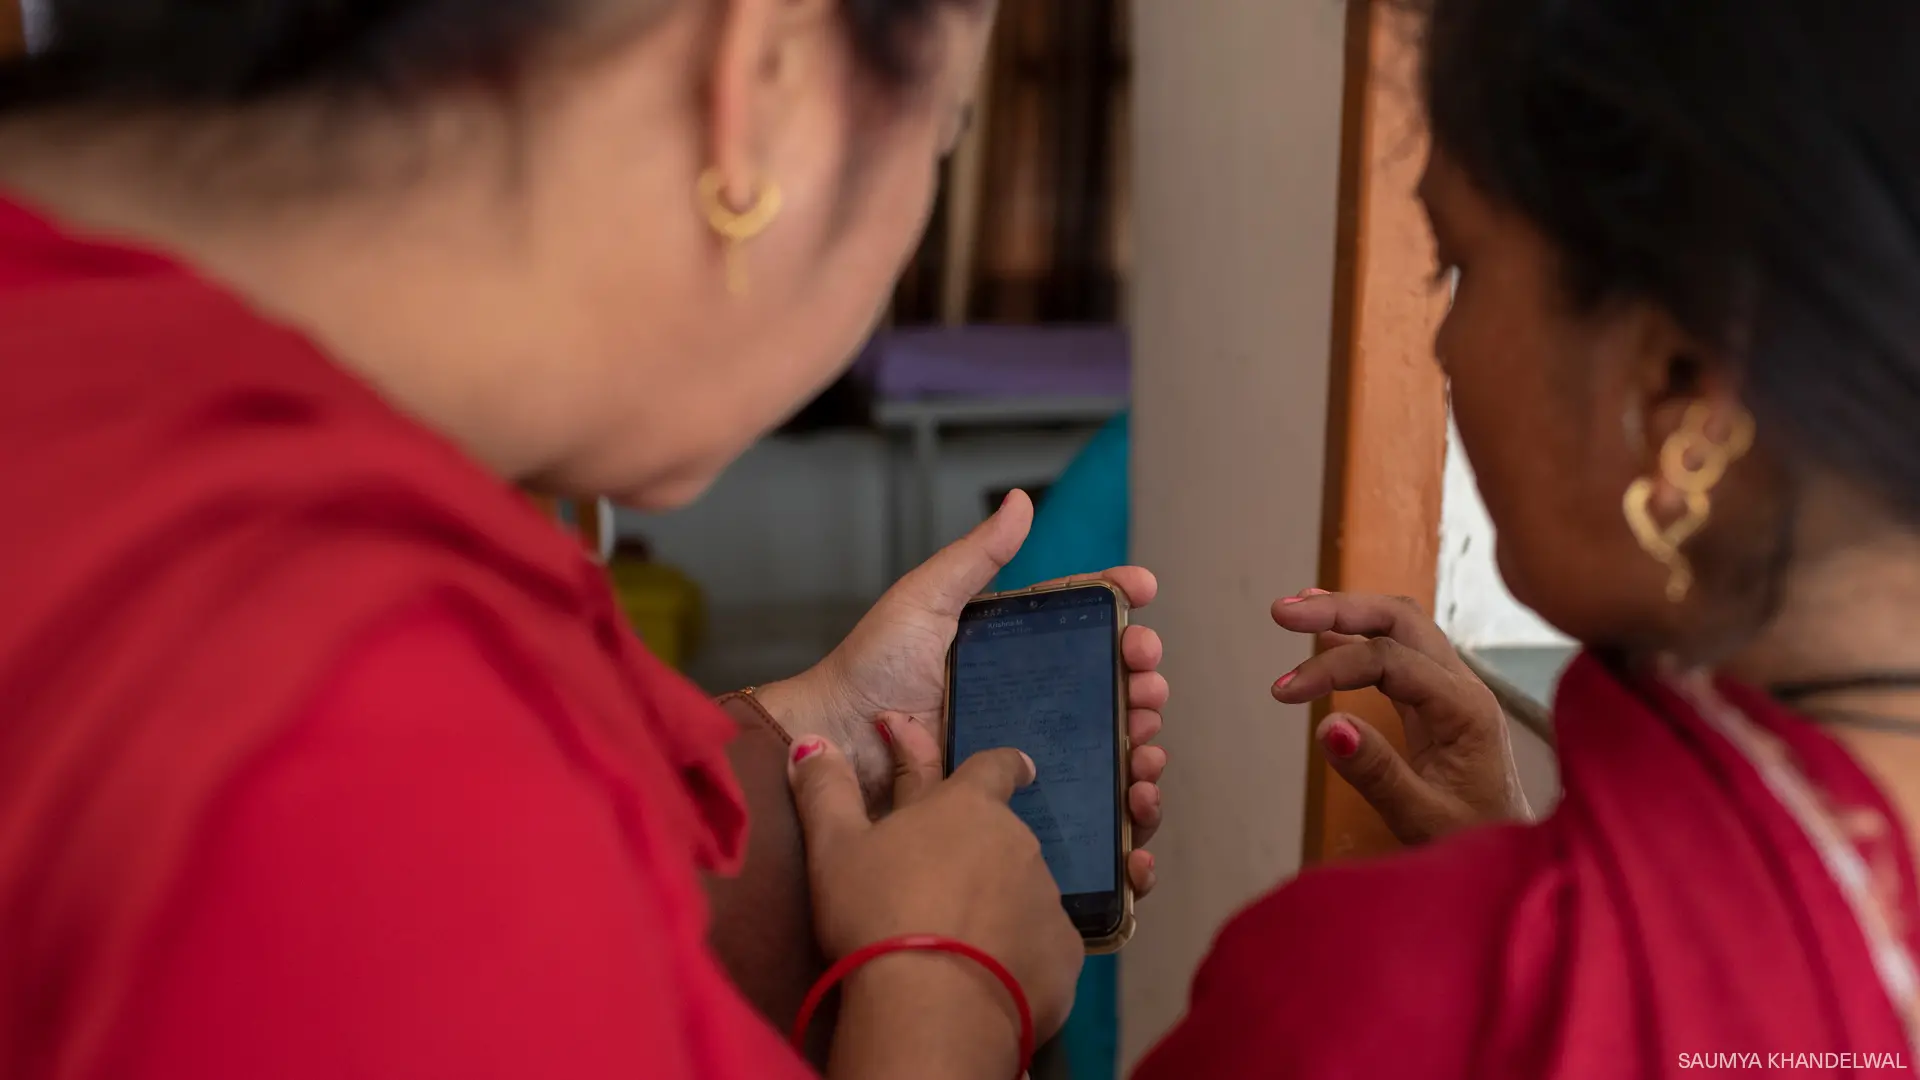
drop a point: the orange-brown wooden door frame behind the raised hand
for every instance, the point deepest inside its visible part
(1387, 401)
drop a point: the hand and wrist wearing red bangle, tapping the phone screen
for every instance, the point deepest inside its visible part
(951, 860)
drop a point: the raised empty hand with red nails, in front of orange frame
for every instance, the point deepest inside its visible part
(1458, 770)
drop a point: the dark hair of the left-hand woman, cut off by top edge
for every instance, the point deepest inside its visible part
(243, 53)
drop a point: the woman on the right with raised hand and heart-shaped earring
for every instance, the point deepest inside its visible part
(1685, 358)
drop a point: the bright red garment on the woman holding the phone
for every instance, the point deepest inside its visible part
(322, 752)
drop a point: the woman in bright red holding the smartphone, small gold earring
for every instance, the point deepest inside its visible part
(322, 752)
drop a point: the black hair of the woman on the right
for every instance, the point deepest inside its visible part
(1752, 166)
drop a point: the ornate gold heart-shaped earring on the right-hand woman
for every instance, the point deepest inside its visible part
(1694, 464)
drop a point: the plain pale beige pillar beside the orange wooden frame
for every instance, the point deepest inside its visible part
(1237, 166)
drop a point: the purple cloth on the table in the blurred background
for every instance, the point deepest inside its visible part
(997, 362)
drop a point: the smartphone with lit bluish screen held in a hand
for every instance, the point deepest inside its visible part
(1042, 672)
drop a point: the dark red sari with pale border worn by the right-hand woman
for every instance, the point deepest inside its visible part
(1671, 918)
